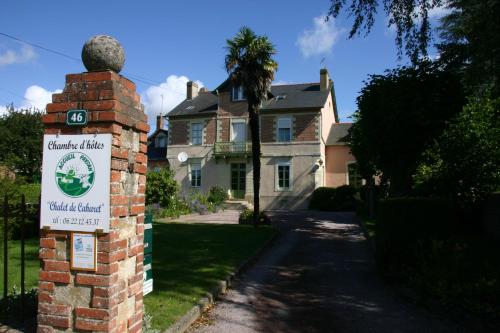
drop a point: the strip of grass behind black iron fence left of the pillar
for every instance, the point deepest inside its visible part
(14, 265)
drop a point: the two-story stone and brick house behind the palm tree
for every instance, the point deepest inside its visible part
(209, 141)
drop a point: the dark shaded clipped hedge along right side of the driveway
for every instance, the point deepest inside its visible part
(420, 243)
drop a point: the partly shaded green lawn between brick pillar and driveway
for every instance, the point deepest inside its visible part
(189, 259)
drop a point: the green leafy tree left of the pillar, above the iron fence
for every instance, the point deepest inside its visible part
(21, 145)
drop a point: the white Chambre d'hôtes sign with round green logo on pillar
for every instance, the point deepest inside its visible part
(75, 182)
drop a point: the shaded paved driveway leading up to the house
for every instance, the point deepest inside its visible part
(319, 277)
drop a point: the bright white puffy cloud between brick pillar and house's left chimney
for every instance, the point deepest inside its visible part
(173, 91)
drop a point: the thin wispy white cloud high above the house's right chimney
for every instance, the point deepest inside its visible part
(320, 39)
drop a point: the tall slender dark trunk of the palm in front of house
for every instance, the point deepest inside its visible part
(255, 134)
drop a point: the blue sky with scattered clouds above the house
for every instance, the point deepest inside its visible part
(168, 43)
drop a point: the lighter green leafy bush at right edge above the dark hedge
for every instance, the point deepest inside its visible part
(464, 163)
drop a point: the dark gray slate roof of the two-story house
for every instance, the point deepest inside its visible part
(284, 97)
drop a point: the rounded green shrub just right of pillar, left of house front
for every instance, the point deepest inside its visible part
(161, 188)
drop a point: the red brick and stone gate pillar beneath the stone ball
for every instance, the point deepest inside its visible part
(111, 298)
